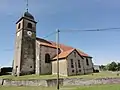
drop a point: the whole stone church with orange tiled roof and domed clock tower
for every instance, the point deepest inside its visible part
(34, 55)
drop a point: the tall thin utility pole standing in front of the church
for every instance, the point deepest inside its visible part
(57, 43)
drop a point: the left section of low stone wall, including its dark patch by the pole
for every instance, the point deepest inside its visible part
(48, 82)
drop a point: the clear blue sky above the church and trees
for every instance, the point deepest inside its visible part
(103, 46)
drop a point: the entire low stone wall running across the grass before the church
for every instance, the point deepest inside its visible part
(63, 82)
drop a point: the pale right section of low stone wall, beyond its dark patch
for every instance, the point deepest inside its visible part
(83, 82)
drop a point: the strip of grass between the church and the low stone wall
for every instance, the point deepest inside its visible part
(89, 76)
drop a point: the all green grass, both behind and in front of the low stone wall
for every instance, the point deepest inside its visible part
(90, 76)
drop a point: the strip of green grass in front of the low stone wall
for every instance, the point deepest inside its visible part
(97, 87)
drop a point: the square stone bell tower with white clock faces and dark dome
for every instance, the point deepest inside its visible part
(24, 57)
